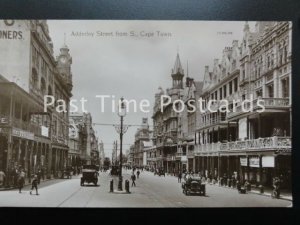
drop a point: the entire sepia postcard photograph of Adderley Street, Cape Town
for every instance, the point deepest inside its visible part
(145, 113)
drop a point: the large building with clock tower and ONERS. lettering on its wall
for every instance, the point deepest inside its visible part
(31, 136)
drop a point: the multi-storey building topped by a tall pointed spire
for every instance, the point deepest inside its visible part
(165, 122)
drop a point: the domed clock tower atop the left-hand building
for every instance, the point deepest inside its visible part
(64, 61)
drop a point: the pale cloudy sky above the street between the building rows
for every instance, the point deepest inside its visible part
(135, 66)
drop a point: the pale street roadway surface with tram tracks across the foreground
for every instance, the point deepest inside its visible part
(150, 191)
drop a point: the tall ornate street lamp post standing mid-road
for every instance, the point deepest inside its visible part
(121, 130)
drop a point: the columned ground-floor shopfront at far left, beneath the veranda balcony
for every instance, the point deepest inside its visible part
(22, 149)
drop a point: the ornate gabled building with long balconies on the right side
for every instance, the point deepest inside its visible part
(249, 144)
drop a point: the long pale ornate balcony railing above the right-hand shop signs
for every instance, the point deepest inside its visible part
(269, 143)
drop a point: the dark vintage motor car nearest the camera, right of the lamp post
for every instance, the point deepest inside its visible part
(193, 185)
